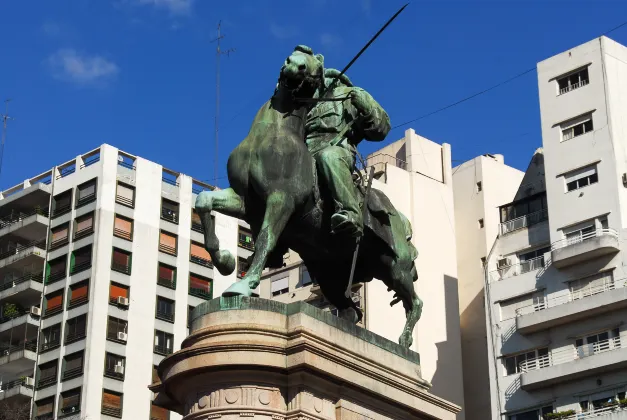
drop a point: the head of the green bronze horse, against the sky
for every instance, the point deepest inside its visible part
(302, 72)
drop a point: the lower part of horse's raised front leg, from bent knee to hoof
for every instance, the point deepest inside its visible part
(223, 260)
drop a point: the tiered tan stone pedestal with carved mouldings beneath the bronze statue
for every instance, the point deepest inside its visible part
(260, 359)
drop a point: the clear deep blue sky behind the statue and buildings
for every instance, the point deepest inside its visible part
(140, 74)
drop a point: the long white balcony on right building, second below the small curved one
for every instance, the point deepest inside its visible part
(572, 363)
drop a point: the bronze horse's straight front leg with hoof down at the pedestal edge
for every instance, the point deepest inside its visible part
(279, 209)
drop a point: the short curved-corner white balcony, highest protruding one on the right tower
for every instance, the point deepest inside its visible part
(584, 247)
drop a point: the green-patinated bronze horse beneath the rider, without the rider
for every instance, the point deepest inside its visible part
(274, 188)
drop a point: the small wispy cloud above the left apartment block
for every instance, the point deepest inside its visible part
(70, 66)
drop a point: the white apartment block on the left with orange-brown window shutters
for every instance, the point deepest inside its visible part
(101, 260)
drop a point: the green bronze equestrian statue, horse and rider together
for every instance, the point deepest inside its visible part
(274, 187)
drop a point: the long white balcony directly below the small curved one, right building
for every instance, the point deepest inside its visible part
(572, 306)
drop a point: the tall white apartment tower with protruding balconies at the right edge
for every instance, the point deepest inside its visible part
(555, 278)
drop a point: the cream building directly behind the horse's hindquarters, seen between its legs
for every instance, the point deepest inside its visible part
(416, 174)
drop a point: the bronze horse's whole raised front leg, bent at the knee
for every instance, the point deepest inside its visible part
(225, 202)
